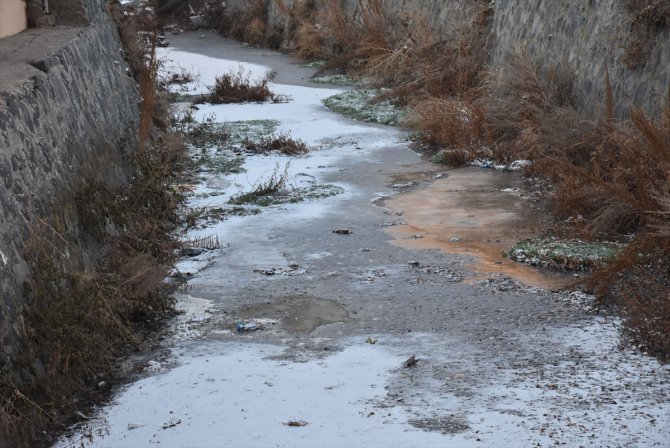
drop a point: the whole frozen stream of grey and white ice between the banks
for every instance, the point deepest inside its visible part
(499, 364)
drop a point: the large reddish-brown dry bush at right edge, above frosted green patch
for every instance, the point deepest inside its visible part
(619, 189)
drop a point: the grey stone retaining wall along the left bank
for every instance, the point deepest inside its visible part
(67, 105)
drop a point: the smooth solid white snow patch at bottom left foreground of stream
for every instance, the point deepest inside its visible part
(249, 395)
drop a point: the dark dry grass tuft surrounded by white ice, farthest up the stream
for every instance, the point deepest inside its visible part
(238, 87)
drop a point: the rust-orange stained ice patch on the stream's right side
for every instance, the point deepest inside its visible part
(474, 212)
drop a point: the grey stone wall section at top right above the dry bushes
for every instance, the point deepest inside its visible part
(591, 37)
